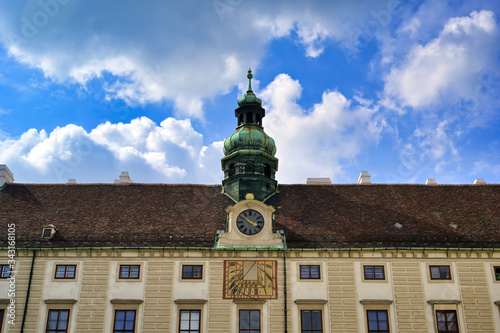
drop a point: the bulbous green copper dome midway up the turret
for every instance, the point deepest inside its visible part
(249, 137)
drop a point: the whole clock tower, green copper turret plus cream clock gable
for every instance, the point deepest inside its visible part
(249, 167)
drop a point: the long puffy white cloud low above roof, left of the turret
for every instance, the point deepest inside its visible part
(170, 152)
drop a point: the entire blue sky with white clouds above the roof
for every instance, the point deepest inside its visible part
(405, 90)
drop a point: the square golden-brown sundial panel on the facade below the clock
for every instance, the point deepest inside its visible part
(253, 279)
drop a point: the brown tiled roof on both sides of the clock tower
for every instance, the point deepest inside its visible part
(313, 216)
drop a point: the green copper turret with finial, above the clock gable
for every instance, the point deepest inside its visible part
(249, 164)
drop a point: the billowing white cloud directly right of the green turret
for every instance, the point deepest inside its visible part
(312, 142)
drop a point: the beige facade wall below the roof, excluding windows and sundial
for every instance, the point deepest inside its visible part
(342, 292)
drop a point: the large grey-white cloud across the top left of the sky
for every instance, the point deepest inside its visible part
(169, 50)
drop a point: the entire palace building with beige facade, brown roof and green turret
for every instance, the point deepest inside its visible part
(251, 255)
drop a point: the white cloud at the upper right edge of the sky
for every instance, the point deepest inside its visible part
(449, 67)
